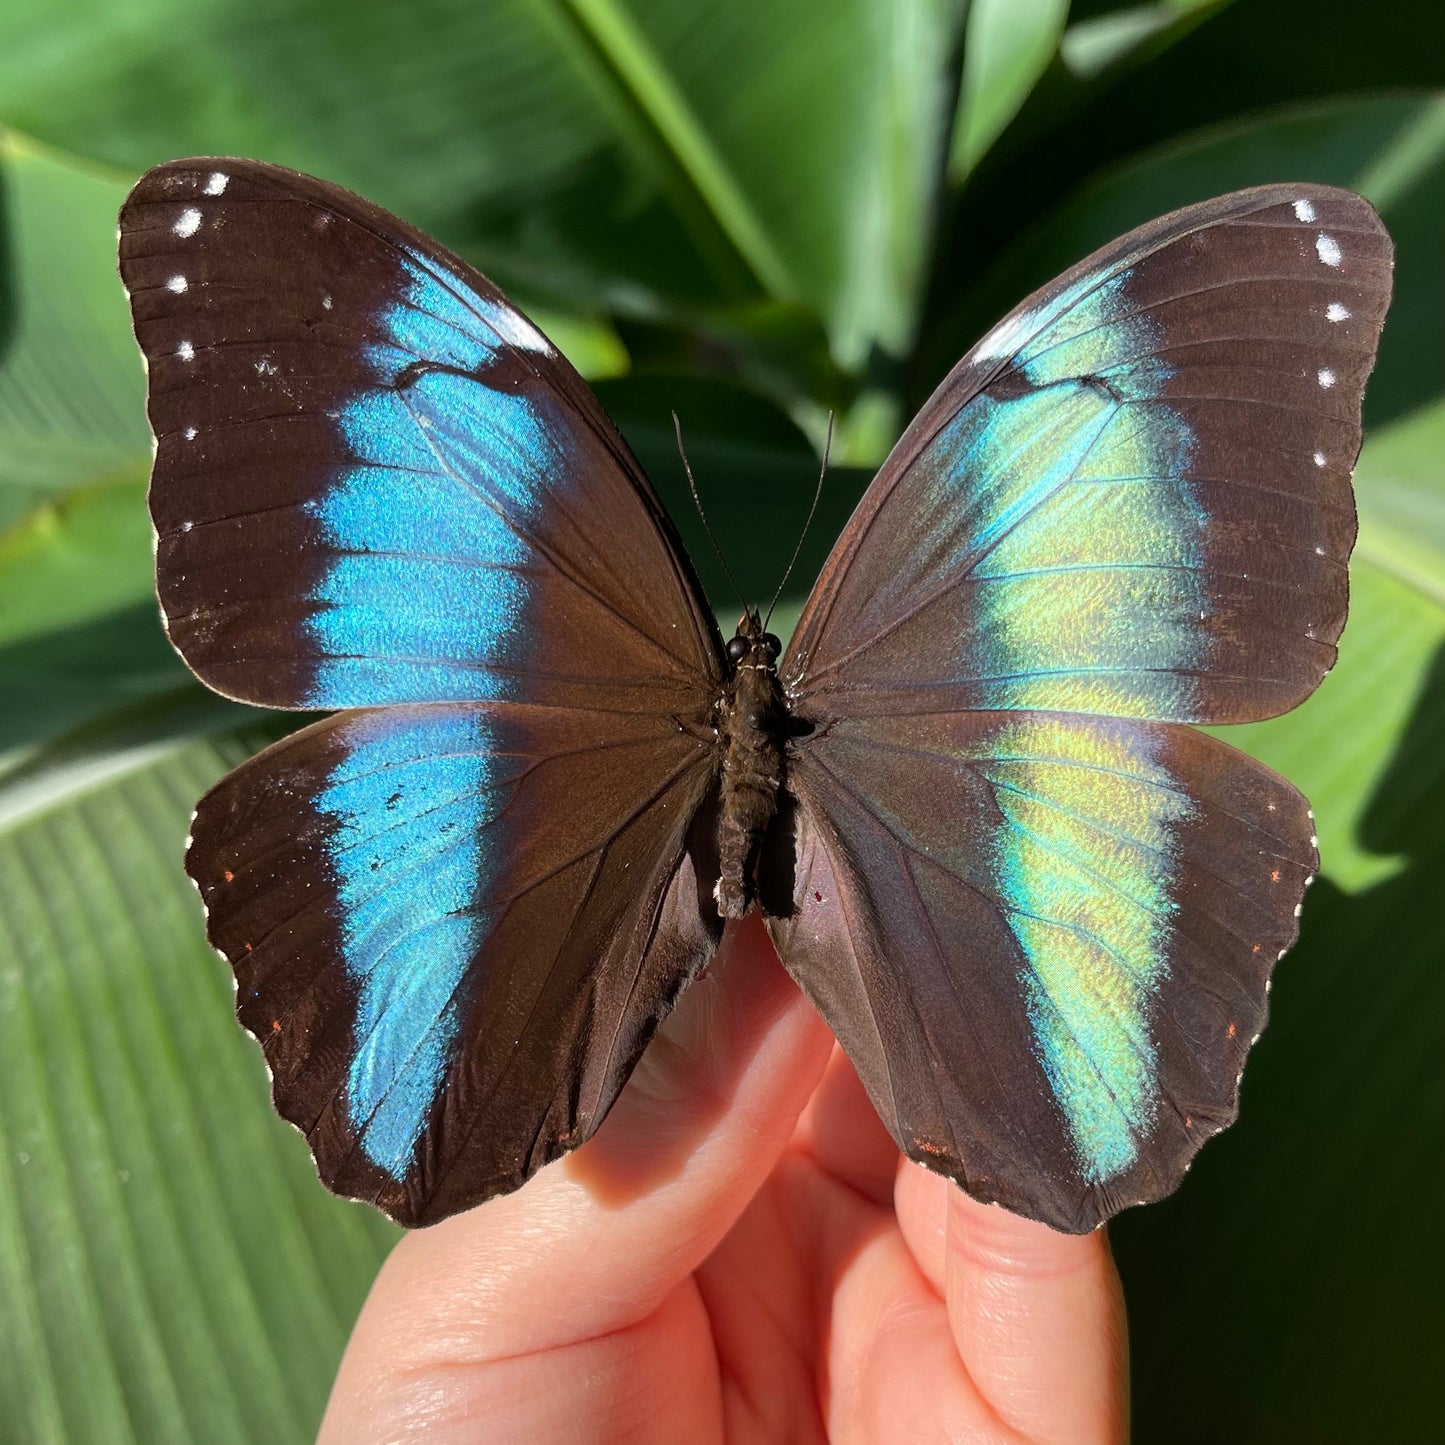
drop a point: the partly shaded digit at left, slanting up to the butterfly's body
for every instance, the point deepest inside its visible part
(576, 1254)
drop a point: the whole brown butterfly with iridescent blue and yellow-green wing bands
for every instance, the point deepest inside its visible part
(1037, 910)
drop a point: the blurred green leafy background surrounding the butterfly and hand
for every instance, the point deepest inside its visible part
(754, 213)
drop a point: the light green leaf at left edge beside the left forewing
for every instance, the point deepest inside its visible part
(79, 628)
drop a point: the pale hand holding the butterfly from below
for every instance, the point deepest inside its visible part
(739, 1256)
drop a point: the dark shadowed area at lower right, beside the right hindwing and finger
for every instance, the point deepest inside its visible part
(1295, 1287)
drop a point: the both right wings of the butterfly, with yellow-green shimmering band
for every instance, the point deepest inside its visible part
(1129, 508)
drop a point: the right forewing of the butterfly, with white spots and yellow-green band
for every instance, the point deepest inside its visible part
(1132, 498)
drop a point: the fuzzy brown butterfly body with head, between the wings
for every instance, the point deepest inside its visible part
(752, 729)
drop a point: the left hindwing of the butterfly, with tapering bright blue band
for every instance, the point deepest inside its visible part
(454, 930)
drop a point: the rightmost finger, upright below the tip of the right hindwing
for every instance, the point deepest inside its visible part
(1038, 1320)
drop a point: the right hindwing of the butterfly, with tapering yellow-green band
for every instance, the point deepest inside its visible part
(1044, 940)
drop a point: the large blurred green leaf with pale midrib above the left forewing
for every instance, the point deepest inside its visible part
(595, 150)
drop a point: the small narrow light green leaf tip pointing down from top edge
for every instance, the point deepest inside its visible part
(1009, 46)
